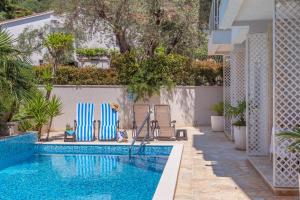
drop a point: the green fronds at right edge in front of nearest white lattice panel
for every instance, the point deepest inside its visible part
(295, 146)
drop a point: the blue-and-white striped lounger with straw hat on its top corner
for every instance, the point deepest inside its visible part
(109, 123)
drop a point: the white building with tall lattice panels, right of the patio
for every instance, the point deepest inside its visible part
(260, 42)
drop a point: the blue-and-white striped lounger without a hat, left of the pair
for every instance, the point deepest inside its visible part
(85, 123)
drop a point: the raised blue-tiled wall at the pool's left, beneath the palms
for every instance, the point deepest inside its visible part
(16, 148)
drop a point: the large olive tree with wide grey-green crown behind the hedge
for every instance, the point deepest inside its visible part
(139, 25)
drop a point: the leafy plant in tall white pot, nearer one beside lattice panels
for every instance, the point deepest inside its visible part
(239, 126)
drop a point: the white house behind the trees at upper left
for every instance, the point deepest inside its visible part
(98, 39)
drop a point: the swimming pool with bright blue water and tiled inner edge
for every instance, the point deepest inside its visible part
(104, 172)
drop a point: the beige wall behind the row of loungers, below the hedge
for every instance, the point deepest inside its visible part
(190, 105)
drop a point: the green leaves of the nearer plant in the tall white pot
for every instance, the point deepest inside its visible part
(238, 112)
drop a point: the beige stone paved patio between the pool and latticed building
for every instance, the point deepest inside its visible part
(212, 169)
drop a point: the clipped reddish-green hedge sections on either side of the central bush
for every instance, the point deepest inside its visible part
(196, 73)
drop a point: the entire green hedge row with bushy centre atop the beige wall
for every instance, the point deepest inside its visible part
(151, 72)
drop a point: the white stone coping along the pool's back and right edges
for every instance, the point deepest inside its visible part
(167, 184)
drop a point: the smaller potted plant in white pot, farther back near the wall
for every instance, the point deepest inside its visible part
(217, 121)
